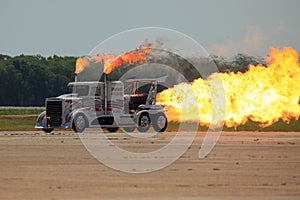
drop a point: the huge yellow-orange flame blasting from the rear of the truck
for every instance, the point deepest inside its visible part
(262, 94)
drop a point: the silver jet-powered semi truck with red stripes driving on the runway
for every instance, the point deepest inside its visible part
(105, 104)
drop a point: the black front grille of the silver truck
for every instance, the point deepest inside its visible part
(54, 112)
